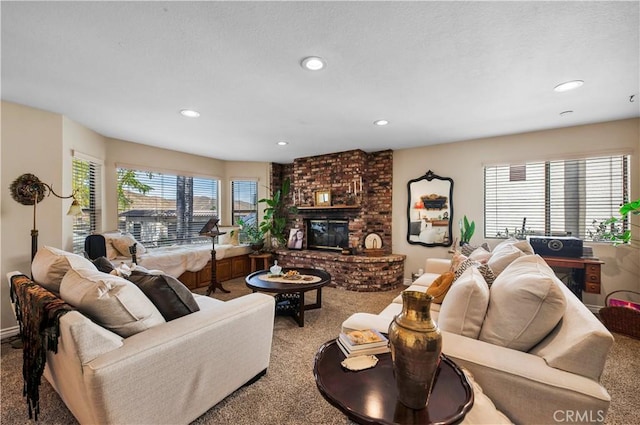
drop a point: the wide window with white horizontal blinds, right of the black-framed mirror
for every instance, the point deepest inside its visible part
(554, 198)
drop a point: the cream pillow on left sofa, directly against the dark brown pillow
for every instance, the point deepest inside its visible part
(110, 301)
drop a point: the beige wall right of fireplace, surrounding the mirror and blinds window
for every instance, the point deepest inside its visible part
(464, 161)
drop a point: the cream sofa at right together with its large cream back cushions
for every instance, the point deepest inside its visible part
(556, 380)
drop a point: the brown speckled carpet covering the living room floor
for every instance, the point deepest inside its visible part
(287, 394)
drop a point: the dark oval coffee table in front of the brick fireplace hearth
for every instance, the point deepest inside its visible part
(290, 296)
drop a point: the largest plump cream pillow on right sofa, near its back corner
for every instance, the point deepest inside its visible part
(526, 304)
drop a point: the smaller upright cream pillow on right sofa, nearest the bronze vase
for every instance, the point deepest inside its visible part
(464, 308)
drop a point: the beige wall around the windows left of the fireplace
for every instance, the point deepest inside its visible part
(43, 143)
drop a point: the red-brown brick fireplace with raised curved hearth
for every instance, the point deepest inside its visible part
(360, 185)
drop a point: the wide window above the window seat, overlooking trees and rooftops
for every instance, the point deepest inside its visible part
(163, 209)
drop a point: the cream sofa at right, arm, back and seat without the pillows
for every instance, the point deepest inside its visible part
(555, 381)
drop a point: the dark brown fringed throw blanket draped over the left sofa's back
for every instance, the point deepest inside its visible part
(38, 312)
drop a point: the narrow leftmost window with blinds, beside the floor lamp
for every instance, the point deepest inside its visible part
(87, 186)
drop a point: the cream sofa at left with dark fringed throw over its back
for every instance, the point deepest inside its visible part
(152, 371)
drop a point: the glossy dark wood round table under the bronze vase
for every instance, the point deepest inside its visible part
(370, 396)
